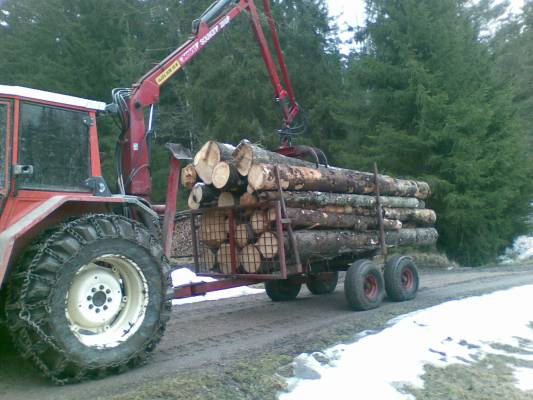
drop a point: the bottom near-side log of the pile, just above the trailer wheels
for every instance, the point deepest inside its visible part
(333, 243)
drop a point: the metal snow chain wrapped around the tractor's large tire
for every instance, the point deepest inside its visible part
(24, 324)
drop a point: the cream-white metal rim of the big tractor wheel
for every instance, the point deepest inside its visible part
(106, 302)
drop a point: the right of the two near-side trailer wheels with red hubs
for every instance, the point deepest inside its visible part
(401, 278)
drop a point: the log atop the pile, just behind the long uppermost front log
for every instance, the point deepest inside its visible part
(246, 154)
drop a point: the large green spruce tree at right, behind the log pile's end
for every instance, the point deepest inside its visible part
(436, 111)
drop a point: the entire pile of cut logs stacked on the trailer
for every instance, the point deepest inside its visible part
(333, 211)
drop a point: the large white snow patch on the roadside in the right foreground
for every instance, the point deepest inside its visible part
(378, 365)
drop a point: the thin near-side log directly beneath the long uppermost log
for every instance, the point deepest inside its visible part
(315, 200)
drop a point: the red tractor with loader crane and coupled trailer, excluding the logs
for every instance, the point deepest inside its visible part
(84, 273)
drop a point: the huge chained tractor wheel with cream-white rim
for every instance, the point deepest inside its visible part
(91, 298)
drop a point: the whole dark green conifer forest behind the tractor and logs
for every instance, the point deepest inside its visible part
(426, 95)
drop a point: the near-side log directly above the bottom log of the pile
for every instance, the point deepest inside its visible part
(316, 219)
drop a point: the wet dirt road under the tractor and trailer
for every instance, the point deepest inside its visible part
(225, 349)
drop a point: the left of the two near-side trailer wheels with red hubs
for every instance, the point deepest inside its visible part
(363, 286)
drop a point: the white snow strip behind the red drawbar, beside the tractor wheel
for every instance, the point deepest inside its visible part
(184, 276)
